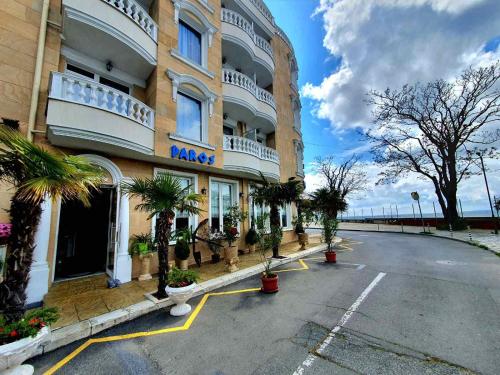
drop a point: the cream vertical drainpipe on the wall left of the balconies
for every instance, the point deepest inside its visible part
(35, 93)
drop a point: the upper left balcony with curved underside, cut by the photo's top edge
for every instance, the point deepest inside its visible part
(120, 31)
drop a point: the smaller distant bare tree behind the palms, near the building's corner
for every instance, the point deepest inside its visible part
(346, 178)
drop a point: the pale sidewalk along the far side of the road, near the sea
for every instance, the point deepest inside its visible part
(479, 236)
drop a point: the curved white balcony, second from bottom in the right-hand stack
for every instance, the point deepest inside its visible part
(245, 101)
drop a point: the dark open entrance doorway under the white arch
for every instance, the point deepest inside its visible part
(87, 235)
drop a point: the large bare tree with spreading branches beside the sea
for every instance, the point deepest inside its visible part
(436, 130)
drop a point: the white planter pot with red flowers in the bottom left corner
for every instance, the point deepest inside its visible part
(14, 354)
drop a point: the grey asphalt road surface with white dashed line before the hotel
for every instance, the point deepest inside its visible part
(393, 304)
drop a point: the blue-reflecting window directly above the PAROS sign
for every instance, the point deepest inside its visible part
(189, 117)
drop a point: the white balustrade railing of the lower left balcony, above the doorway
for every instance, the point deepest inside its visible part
(90, 93)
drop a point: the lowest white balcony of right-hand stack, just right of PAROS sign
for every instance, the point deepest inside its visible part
(248, 158)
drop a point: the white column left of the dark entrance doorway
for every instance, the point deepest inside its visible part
(38, 284)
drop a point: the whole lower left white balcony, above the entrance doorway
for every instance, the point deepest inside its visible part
(84, 114)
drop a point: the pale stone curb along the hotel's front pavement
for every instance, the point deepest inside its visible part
(86, 328)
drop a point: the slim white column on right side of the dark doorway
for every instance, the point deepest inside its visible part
(123, 270)
